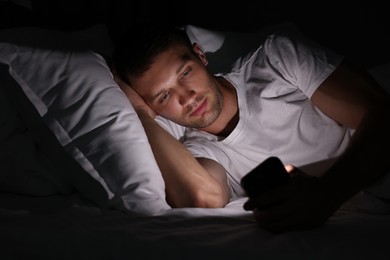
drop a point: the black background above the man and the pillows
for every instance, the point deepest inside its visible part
(358, 29)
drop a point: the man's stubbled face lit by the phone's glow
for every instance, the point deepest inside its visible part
(178, 87)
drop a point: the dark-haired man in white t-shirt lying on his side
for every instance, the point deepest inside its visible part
(289, 98)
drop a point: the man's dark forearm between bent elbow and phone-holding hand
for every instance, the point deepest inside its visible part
(365, 160)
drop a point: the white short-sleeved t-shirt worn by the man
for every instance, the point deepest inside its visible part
(274, 84)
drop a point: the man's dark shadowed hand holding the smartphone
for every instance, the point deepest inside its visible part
(302, 203)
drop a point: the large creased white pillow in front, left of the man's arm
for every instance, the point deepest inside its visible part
(76, 96)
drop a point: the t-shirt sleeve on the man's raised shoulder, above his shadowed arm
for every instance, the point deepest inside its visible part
(301, 61)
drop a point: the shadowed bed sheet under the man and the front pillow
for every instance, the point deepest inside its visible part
(59, 227)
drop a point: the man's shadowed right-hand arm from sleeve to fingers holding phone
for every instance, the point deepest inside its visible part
(351, 98)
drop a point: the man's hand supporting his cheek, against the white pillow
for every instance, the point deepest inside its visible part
(136, 100)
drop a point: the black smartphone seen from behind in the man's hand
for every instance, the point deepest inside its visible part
(267, 175)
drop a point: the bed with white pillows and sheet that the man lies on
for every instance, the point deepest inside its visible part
(85, 185)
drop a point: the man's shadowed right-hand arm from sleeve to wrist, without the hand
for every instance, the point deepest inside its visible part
(352, 98)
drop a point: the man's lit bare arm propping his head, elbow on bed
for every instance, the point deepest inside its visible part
(189, 182)
